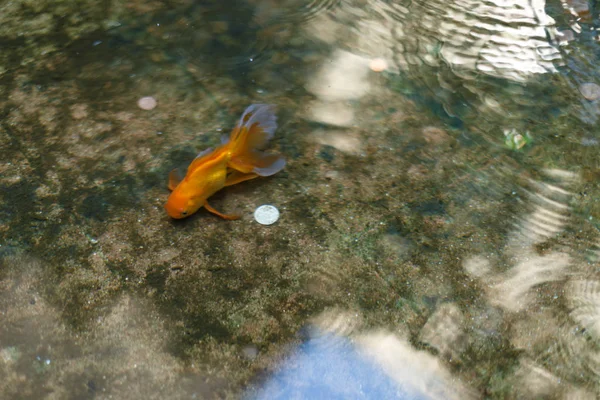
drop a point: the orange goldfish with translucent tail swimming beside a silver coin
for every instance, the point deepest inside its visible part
(236, 160)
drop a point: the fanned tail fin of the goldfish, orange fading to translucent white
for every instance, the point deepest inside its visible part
(256, 127)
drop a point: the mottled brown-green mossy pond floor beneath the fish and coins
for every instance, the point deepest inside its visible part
(103, 295)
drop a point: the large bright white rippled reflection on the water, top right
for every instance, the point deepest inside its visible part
(508, 41)
